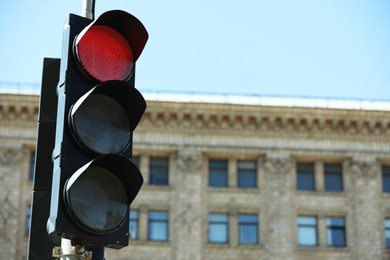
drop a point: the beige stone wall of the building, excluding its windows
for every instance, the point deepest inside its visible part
(189, 134)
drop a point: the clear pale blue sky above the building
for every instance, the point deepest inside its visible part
(301, 48)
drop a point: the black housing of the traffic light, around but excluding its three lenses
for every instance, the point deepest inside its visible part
(69, 156)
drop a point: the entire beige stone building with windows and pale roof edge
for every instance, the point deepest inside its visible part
(233, 178)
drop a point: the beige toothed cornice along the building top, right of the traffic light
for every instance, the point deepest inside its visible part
(267, 121)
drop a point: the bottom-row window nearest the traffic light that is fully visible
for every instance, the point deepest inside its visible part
(158, 226)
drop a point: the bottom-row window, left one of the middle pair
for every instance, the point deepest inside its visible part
(218, 228)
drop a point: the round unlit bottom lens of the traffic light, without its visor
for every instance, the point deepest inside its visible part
(94, 185)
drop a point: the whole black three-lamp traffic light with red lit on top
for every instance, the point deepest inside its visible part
(94, 179)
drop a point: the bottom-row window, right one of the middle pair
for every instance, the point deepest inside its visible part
(248, 229)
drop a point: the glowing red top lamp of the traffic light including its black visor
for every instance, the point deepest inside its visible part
(108, 48)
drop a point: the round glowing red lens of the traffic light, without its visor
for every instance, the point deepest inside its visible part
(105, 54)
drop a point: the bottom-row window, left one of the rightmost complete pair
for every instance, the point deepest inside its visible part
(307, 231)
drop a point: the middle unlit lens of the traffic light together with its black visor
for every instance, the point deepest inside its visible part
(103, 119)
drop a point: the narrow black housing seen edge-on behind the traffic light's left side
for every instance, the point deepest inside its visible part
(39, 244)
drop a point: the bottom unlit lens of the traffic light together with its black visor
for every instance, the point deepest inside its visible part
(98, 195)
